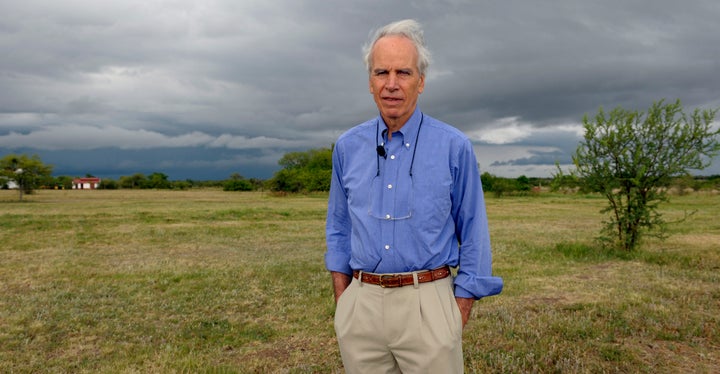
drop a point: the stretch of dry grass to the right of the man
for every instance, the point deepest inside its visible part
(568, 307)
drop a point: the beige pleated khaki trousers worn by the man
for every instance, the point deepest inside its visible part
(411, 329)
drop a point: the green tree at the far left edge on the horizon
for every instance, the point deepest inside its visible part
(26, 171)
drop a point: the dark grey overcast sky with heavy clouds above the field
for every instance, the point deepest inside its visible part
(204, 89)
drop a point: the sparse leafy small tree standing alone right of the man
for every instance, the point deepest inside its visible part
(629, 156)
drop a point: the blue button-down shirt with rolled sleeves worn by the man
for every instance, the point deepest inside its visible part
(384, 217)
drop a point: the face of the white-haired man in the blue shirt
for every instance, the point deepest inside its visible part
(395, 81)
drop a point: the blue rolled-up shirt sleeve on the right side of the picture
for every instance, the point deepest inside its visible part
(474, 278)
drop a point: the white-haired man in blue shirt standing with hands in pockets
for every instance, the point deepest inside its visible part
(406, 205)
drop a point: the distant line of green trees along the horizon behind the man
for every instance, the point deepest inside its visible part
(302, 172)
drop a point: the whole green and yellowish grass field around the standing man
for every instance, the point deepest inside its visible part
(208, 281)
